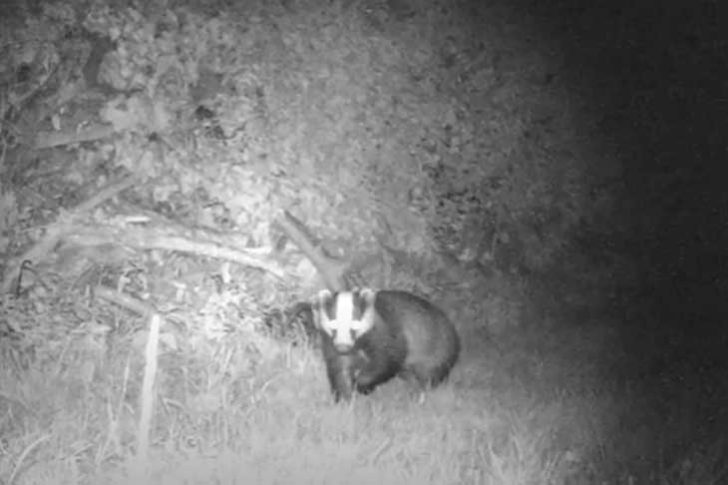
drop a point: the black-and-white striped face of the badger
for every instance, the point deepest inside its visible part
(345, 316)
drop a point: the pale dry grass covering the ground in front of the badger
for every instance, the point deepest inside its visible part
(546, 409)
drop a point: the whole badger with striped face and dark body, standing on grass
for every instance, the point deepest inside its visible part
(368, 337)
